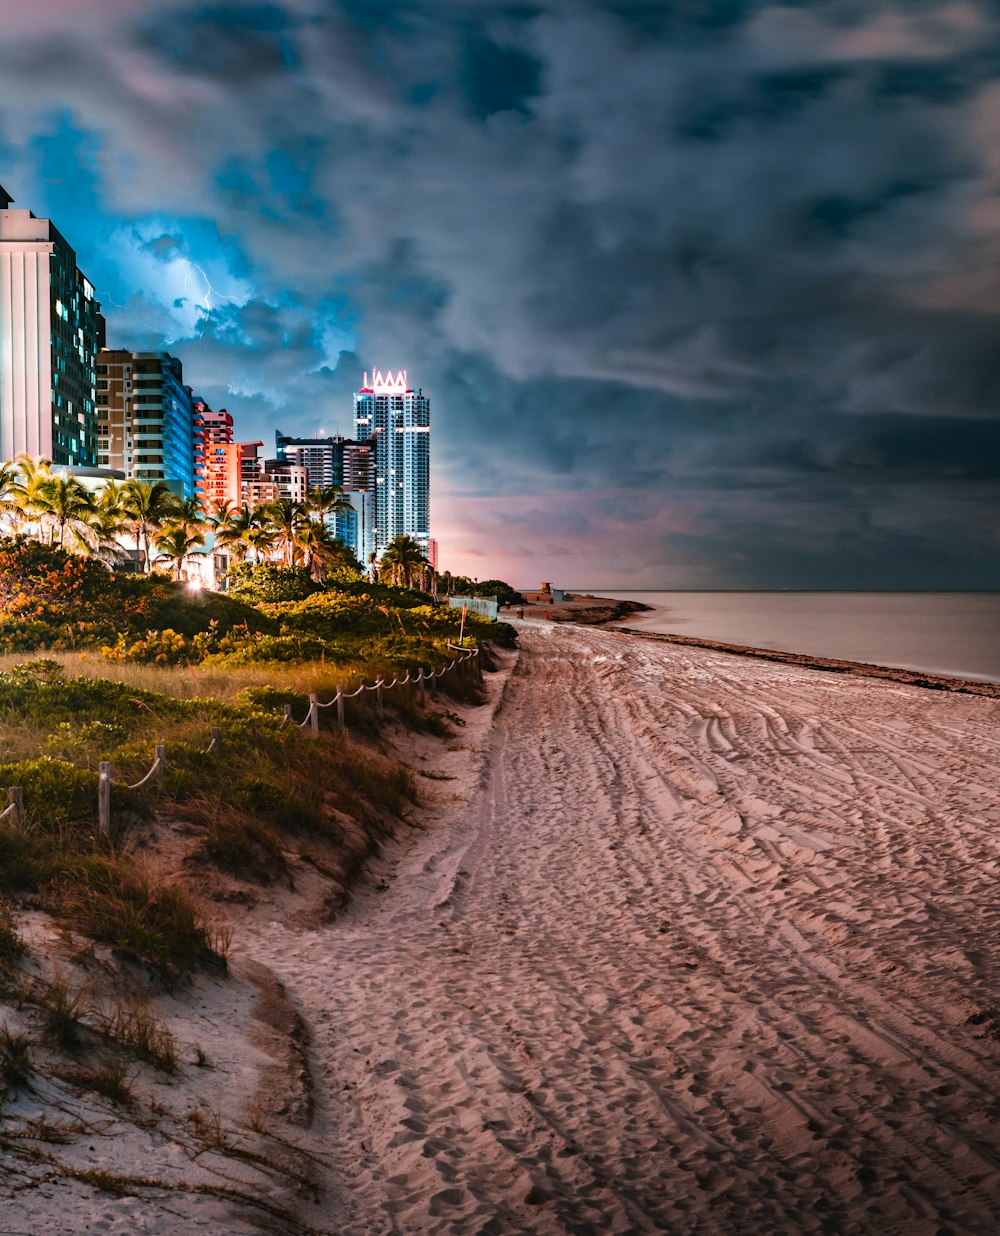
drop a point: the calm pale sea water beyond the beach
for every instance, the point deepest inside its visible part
(955, 633)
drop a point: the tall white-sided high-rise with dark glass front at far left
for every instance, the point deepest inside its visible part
(51, 328)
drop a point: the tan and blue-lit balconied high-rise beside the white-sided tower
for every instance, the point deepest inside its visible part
(146, 418)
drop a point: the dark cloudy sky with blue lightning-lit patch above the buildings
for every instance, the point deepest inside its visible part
(705, 294)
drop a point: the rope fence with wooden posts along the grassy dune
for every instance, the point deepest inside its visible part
(15, 809)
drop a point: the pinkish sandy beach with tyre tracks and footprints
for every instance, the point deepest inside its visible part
(698, 954)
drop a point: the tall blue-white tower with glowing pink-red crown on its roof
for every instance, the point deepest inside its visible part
(397, 421)
